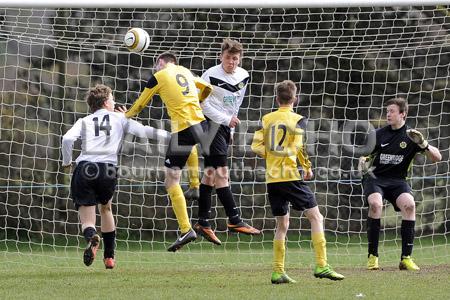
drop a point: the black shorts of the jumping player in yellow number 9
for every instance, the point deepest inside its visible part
(181, 144)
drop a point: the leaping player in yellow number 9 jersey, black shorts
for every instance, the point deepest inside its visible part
(177, 87)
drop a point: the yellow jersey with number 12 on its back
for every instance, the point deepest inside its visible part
(281, 143)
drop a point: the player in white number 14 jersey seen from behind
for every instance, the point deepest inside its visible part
(95, 177)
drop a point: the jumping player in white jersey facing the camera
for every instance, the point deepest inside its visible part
(221, 109)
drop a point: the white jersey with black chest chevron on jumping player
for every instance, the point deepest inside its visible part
(227, 95)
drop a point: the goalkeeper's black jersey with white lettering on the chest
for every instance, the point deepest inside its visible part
(393, 152)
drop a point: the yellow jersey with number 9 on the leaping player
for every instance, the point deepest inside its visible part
(177, 87)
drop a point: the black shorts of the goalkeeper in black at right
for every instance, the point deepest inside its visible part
(389, 188)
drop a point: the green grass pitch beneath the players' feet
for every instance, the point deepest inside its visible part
(207, 272)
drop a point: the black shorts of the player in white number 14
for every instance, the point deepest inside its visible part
(93, 183)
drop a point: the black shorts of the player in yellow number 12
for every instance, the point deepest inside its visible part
(296, 192)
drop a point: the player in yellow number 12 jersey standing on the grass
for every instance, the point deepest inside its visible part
(281, 143)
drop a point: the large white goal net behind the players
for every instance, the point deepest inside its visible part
(346, 62)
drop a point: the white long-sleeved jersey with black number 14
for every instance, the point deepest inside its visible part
(101, 134)
